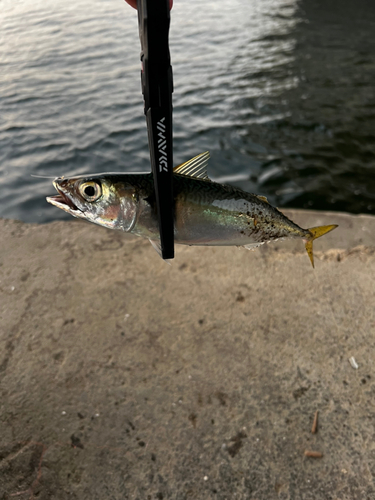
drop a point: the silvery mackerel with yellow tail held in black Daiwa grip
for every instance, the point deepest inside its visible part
(205, 212)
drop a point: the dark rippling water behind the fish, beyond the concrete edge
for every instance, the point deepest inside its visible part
(281, 93)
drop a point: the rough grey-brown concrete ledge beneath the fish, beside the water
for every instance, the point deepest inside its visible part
(124, 378)
